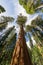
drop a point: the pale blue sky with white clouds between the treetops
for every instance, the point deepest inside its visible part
(13, 8)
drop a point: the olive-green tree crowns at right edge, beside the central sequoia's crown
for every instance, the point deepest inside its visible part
(36, 28)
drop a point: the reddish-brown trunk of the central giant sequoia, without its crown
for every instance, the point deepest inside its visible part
(20, 54)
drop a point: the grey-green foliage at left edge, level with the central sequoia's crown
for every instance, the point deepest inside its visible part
(4, 21)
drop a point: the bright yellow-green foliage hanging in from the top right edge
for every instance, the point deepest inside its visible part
(31, 6)
